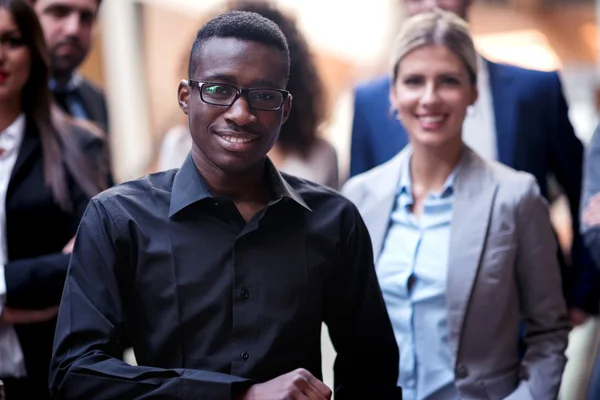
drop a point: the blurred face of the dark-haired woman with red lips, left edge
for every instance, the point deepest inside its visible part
(15, 59)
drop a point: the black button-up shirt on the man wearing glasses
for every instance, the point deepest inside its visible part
(211, 303)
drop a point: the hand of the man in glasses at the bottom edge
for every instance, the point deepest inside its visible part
(296, 385)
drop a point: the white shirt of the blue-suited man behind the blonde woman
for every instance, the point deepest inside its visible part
(479, 128)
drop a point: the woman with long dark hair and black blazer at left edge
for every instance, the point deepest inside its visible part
(50, 166)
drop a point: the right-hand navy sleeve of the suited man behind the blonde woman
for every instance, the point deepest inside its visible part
(566, 163)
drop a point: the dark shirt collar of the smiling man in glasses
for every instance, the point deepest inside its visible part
(189, 187)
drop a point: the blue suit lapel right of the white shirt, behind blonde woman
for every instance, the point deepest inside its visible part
(505, 109)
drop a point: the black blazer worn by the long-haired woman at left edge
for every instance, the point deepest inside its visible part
(37, 230)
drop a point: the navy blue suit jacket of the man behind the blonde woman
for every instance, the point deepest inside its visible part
(533, 134)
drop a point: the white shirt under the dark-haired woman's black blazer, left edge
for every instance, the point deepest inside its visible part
(12, 364)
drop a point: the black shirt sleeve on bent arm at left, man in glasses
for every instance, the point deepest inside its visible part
(90, 329)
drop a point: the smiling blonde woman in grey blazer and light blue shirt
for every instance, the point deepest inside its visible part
(463, 245)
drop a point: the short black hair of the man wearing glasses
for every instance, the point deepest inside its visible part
(242, 25)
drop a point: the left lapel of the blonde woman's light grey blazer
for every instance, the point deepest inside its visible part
(382, 195)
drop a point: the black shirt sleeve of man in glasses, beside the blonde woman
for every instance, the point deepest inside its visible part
(367, 360)
